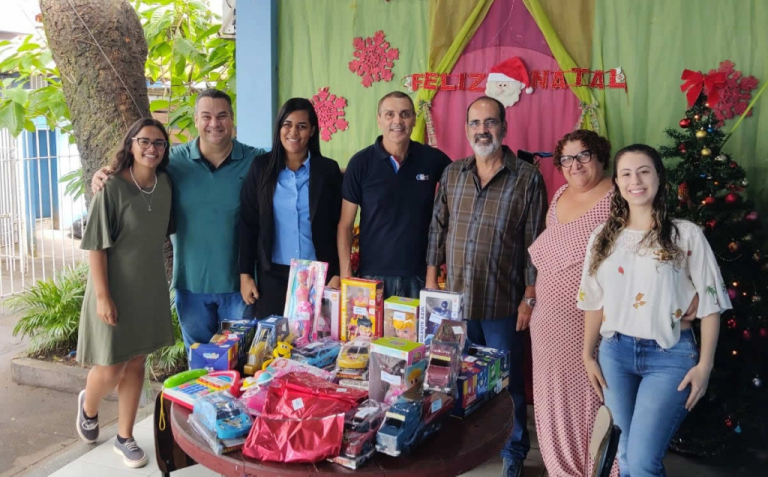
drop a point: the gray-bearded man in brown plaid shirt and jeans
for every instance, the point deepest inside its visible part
(489, 209)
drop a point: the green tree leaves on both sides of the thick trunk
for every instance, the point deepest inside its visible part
(184, 55)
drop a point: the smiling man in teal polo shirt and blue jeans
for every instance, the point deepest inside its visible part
(207, 175)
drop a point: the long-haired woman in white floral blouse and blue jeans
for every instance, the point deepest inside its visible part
(641, 271)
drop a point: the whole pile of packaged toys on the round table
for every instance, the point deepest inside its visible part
(343, 375)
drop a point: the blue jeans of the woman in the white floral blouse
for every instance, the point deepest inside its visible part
(642, 380)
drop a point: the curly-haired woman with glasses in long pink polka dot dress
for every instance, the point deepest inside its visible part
(565, 404)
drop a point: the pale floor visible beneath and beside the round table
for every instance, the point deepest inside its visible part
(103, 461)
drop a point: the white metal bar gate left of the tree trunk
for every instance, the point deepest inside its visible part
(39, 224)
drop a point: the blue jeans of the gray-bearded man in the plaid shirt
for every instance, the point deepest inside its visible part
(501, 334)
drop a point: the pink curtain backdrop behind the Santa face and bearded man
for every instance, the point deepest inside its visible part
(538, 120)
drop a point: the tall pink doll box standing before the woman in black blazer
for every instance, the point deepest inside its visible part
(303, 298)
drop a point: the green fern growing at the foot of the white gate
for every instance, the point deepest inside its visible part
(51, 311)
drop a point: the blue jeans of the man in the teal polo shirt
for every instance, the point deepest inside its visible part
(201, 313)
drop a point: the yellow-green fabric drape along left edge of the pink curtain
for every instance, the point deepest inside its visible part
(443, 21)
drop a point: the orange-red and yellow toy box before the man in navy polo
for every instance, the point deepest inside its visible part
(362, 309)
